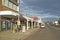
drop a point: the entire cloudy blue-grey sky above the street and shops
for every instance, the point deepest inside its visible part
(48, 10)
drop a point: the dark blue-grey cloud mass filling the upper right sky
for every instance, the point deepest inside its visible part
(51, 5)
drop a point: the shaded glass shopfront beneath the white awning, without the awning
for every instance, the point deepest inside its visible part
(6, 25)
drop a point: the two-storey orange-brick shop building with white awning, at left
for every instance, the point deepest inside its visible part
(9, 13)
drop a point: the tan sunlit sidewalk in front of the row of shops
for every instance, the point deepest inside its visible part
(8, 35)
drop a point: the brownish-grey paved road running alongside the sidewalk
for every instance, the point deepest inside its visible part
(48, 33)
